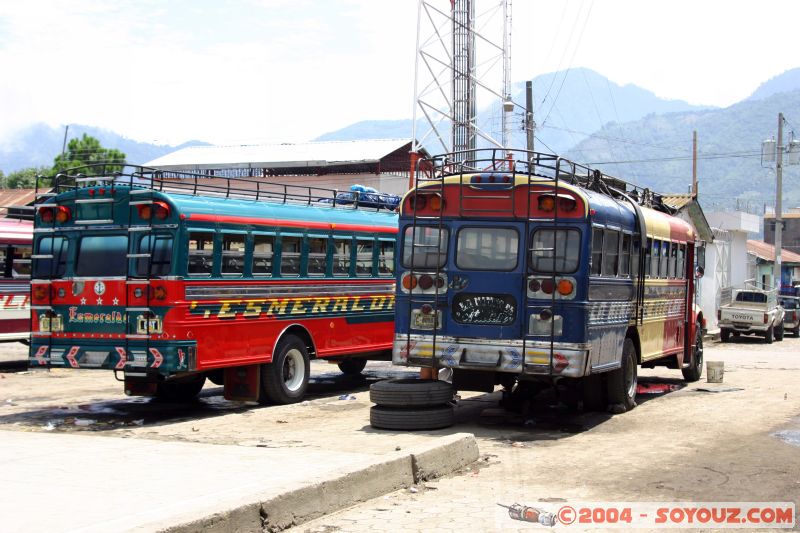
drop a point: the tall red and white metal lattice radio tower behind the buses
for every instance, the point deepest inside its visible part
(462, 60)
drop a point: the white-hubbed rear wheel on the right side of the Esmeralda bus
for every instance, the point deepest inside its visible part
(285, 379)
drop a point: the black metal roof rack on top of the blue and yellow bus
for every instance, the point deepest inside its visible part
(541, 165)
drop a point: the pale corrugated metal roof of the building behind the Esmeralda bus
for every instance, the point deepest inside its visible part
(313, 154)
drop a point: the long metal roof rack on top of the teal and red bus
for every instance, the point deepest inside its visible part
(197, 184)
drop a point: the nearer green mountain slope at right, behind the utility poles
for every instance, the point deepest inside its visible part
(730, 173)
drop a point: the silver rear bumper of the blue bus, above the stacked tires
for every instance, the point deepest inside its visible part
(496, 355)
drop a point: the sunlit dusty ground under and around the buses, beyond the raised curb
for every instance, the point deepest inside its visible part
(735, 441)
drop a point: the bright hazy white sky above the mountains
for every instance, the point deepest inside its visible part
(291, 70)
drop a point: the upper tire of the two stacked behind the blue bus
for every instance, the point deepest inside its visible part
(411, 393)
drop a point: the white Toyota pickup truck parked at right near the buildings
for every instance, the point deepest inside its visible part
(751, 312)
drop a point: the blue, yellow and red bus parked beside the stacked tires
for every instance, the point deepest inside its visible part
(528, 271)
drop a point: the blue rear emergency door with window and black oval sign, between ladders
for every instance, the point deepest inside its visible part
(486, 280)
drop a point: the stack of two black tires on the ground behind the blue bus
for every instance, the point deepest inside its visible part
(411, 404)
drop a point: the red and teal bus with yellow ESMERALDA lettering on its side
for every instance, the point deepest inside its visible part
(171, 278)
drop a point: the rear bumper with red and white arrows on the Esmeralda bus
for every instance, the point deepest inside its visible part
(152, 358)
